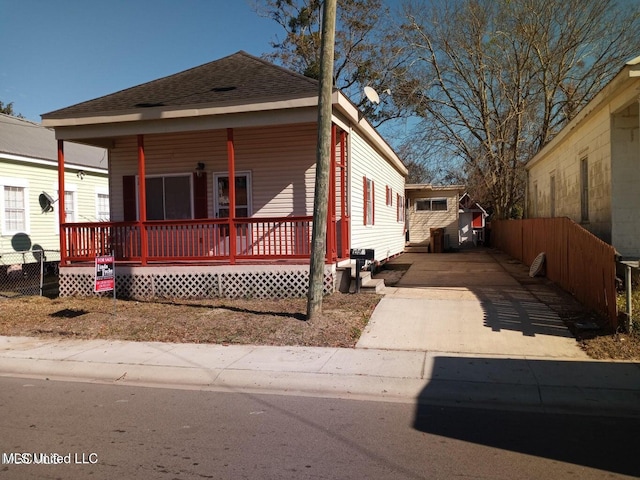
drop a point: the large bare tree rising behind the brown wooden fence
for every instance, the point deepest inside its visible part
(494, 81)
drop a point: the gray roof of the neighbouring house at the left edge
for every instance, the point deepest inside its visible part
(27, 139)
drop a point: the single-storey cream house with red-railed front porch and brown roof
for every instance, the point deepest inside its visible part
(212, 172)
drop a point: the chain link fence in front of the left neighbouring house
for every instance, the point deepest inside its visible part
(33, 272)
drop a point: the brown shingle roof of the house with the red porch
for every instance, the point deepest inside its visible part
(239, 78)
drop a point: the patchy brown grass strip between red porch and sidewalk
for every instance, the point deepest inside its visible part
(259, 322)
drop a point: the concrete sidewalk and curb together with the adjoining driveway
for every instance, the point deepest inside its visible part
(466, 329)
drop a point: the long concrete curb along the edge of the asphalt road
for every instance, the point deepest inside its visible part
(503, 396)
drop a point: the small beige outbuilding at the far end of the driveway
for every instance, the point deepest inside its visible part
(433, 209)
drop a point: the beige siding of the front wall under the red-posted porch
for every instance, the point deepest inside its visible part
(281, 161)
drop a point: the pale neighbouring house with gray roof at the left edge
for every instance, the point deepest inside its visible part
(29, 189)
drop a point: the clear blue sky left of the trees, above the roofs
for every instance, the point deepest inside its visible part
(56, 53)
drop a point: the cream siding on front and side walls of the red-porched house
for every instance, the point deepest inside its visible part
(281, 160)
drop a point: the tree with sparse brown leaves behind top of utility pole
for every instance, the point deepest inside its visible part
(365, 53)
